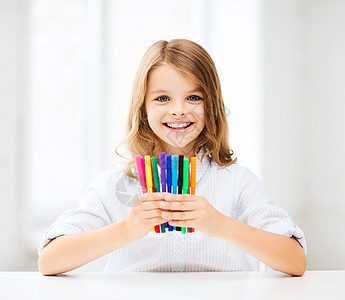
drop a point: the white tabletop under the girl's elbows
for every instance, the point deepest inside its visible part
(328, 285)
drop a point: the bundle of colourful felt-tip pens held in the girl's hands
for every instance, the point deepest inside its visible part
(177, 176)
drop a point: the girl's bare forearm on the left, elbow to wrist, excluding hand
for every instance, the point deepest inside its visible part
(71, 251)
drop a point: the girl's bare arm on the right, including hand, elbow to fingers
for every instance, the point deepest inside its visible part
(278, 251)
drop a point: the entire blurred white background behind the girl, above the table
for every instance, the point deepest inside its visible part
(66, 73)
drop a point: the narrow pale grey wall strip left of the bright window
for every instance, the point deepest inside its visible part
(13, 105)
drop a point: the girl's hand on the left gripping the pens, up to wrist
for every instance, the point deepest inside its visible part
(146, 215)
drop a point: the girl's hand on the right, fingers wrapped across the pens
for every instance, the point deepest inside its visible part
(191, 211)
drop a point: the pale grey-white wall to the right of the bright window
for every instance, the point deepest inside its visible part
(304, 67)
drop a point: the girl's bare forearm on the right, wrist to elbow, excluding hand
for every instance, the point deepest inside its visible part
(276, 251)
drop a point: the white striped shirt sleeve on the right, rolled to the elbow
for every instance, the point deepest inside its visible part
(255, 208)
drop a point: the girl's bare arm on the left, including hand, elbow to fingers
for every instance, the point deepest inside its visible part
(71, 251)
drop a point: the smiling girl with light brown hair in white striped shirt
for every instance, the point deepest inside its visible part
(177, 107)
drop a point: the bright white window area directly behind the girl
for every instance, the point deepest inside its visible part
(83, 58)
